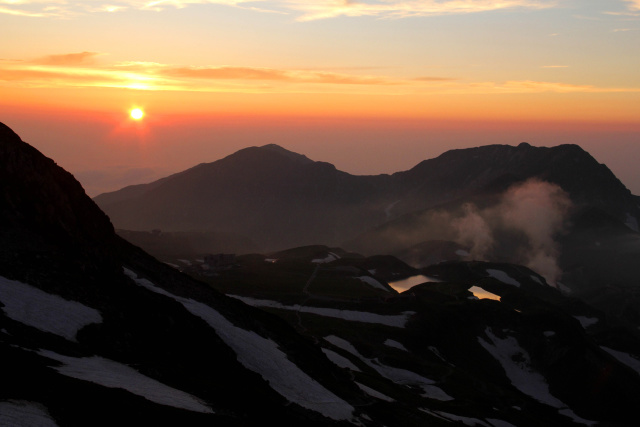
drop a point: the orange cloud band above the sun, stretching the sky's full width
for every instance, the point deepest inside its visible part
(84, 70)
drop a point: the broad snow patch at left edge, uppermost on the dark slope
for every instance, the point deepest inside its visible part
(44, 311)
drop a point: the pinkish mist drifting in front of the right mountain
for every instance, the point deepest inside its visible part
(520, 227)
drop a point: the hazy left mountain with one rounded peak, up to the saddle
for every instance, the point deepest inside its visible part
(275, 197)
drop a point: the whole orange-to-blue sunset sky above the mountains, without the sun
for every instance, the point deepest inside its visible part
(370, 86)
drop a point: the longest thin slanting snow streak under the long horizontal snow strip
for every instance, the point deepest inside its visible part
(397, 375)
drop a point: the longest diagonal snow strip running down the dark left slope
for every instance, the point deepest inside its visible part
(262, 355)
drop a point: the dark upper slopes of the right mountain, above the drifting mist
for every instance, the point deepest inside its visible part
(464, 172)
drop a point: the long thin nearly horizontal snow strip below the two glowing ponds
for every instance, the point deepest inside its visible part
(396, 321)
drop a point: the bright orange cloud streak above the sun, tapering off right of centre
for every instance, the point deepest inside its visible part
(82, 69)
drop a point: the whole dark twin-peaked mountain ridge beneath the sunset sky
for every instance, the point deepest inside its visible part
(281, 199)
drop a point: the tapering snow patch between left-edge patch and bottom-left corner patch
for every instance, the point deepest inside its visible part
(111, 374)
